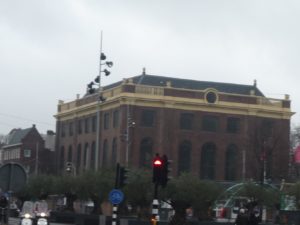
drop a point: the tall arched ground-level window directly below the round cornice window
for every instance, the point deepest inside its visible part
(208, 161)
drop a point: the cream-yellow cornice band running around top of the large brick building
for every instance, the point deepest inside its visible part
(152, 96)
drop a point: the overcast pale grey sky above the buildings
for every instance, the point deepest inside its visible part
(49, 49)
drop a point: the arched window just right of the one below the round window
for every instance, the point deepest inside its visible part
(231, 162)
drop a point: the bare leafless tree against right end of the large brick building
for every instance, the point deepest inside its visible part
(269, 148)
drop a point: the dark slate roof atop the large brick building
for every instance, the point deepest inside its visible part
(161, 81)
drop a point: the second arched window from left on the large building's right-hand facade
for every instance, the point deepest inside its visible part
(184, 157)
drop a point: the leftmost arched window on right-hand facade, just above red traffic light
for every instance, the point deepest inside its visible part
(146, 152)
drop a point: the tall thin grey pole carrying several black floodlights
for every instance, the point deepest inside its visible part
(100, 98)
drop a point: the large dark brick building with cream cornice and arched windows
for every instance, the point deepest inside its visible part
(219, 131)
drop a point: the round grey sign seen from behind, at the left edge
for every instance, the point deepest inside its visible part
(12, 177)
